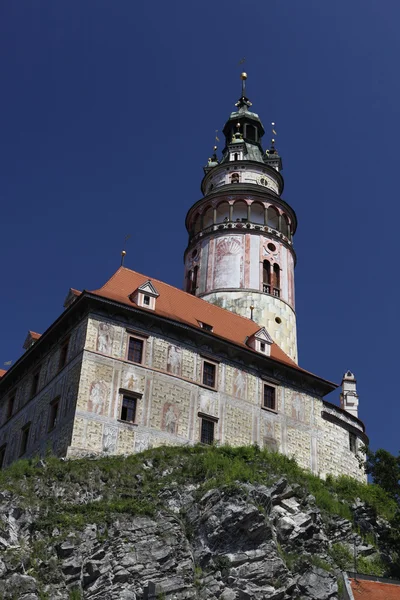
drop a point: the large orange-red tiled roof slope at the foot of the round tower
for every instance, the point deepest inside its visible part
(178, 305)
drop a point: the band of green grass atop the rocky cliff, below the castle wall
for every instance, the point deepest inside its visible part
(72, 493)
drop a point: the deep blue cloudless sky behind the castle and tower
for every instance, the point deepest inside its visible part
(107, 114)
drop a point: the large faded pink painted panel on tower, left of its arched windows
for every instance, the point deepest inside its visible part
(228, 263)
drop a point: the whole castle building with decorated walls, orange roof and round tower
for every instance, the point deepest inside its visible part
(138, 363)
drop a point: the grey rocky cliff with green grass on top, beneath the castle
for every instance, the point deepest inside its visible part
(207, 523)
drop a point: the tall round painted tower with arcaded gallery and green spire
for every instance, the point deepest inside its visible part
(240, 253)
